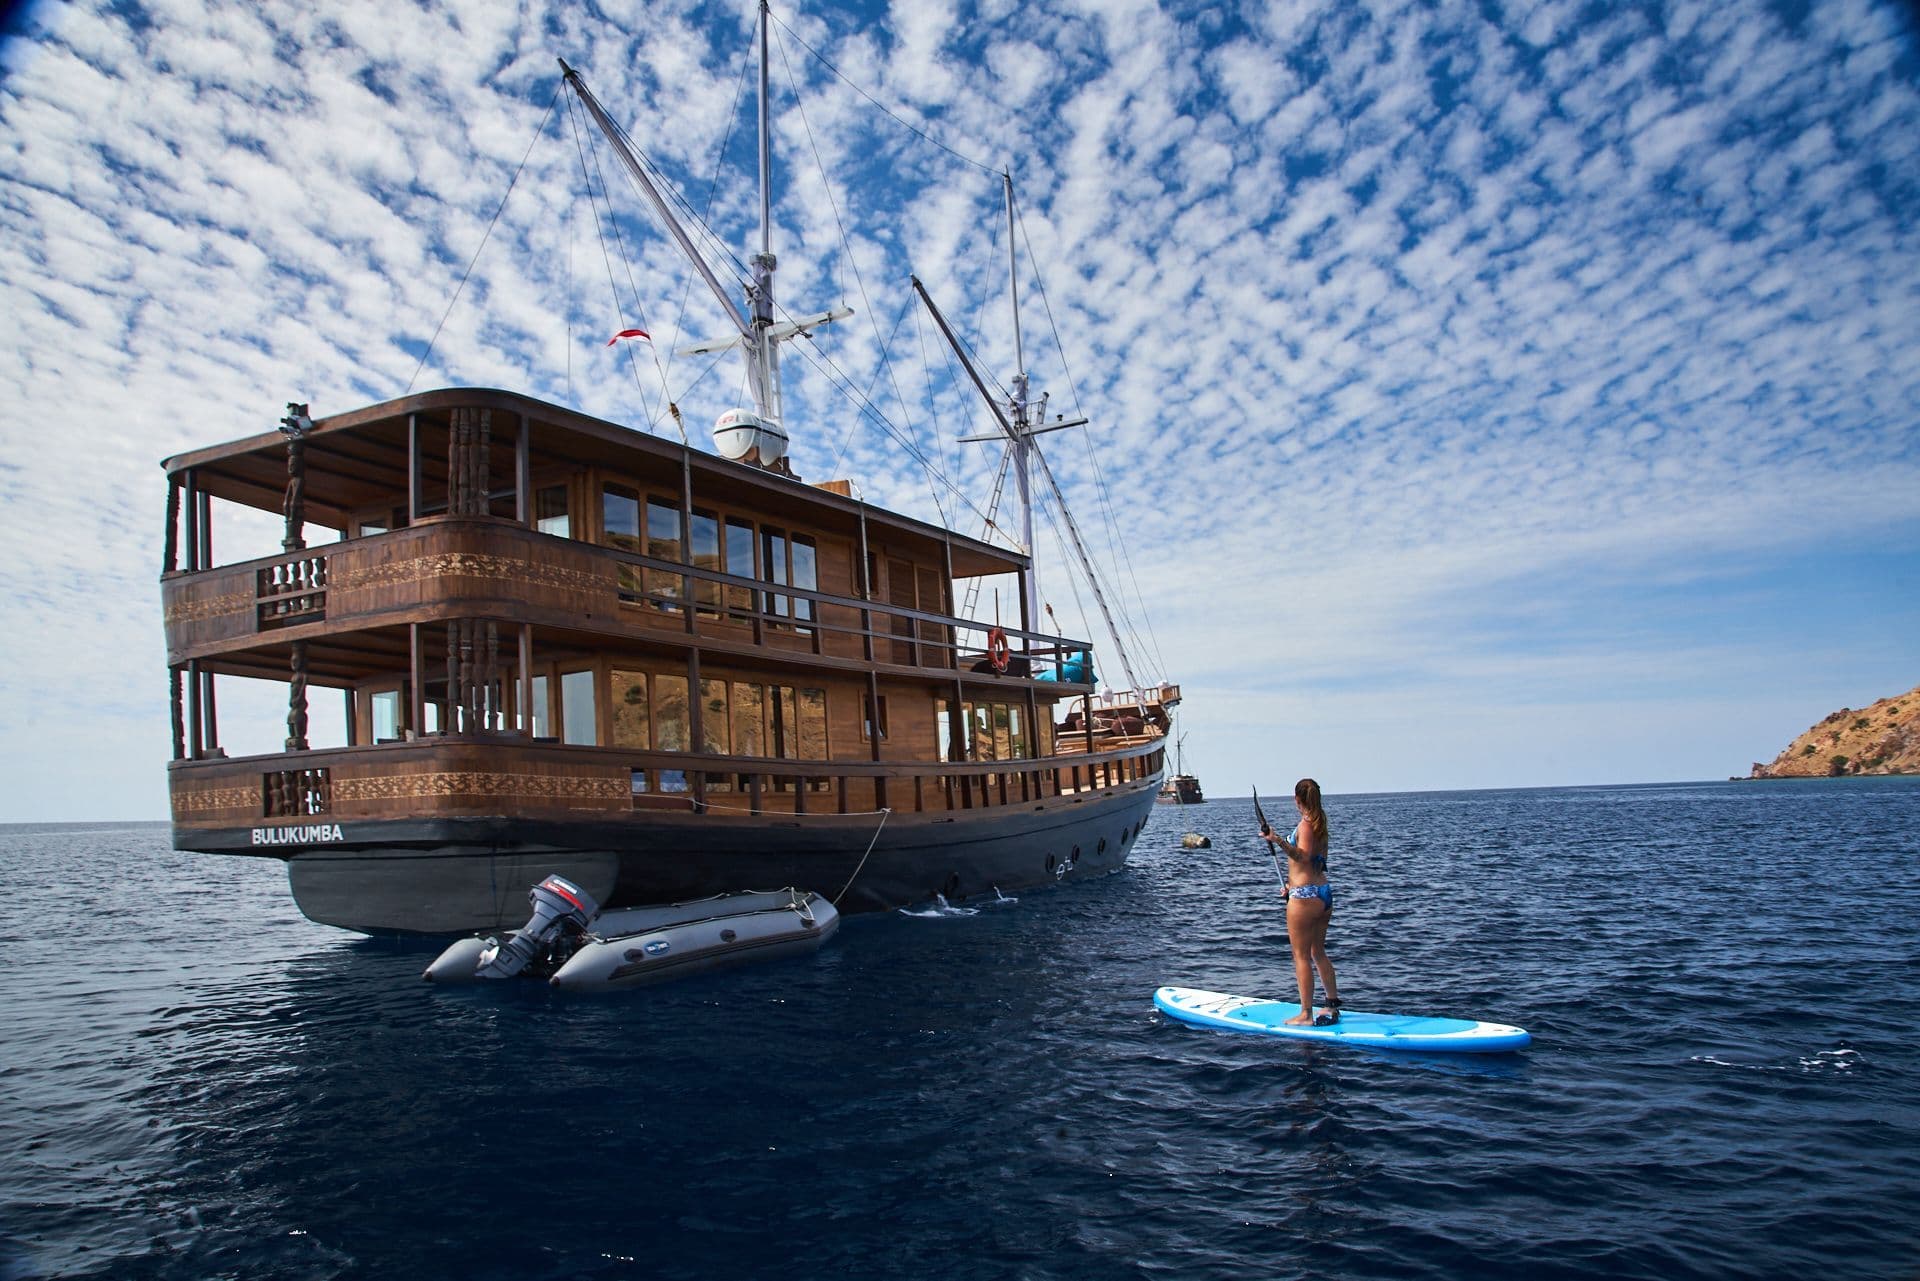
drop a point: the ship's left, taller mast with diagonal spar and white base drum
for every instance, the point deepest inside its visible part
(740, 435)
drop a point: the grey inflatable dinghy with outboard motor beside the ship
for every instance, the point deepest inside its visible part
(579, 948)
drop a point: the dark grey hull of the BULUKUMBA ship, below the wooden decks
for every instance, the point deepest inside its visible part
(462, 875)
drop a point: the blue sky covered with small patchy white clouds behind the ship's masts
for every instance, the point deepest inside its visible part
(1489, 395)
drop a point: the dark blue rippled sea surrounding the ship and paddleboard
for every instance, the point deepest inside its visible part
(1721, 982)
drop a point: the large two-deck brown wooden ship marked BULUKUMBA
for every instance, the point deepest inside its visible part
(564, 646)
